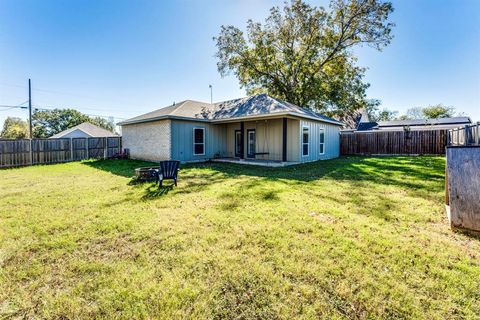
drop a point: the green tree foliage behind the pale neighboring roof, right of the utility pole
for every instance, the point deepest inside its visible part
(49, 122)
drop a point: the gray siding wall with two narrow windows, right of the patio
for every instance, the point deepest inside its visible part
(332, 141)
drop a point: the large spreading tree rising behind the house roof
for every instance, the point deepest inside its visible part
(303, 54)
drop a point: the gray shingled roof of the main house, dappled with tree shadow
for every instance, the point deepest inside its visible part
(243, 108)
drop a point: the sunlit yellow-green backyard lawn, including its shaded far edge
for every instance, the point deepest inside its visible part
(346, 238)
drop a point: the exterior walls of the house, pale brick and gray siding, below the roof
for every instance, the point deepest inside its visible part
(173, 139)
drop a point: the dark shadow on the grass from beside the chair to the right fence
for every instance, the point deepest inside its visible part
(421, 174)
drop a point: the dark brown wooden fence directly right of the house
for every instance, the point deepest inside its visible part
(393, 142)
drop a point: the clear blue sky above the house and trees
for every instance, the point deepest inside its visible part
(122, 58)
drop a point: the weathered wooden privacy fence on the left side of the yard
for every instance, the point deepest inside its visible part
(26, 152)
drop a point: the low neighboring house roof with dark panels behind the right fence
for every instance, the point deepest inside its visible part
(417, 124)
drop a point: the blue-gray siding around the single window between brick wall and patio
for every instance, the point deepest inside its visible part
(182, 140)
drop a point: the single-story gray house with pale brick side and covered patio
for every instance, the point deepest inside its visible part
(254, 129)
